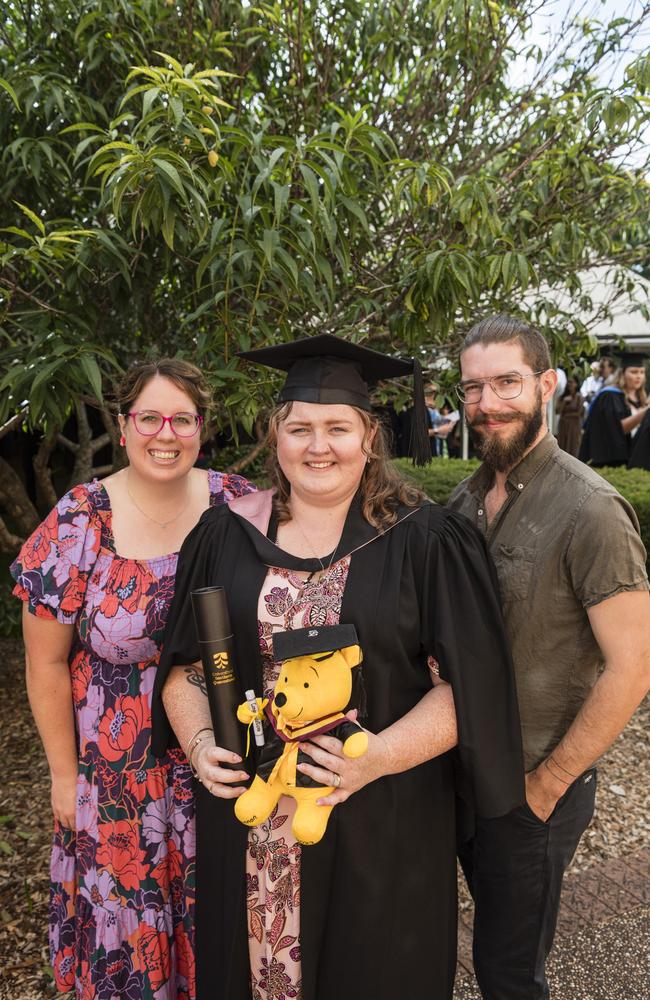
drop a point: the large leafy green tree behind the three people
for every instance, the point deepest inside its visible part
(201, 177)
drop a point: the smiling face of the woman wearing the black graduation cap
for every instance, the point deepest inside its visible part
(320, 449)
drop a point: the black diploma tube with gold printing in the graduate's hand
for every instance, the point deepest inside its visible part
(218, 657)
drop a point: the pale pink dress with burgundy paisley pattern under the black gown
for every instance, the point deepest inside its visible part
(287, 600)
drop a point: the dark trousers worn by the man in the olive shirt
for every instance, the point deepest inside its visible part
(514, 867)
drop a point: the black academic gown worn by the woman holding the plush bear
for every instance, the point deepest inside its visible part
(378, 893)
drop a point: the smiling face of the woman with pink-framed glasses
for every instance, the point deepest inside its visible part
(165, 456)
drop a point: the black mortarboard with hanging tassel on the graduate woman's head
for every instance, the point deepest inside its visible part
(326, 369)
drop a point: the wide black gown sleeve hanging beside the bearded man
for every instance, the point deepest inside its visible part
(464, 630)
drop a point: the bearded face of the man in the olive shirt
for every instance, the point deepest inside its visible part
(505, 429)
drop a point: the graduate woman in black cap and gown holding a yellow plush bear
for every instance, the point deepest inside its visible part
(370, 910)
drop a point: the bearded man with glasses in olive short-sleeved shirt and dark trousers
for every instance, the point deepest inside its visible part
(574, 589)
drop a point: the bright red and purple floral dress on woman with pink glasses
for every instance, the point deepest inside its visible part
(122, 886)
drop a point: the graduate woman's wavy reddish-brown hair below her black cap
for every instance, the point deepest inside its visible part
(382, 488)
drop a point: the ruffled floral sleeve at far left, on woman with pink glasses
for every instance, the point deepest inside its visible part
(52, 568)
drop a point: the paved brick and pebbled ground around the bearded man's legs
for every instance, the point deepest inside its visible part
(602, 946)
